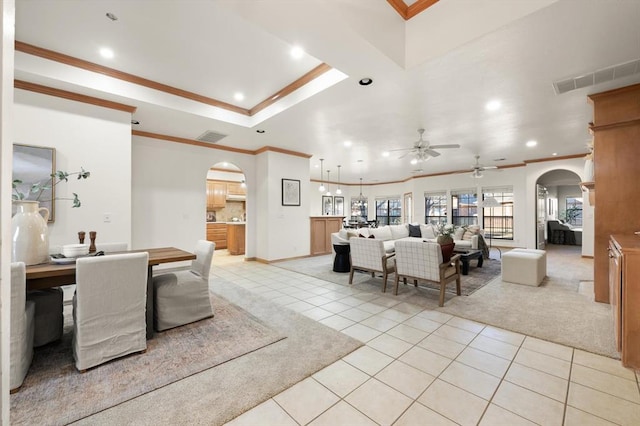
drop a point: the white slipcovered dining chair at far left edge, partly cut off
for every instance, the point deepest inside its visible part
(22, 314)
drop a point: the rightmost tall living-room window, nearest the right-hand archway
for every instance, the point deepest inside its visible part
(498, 221)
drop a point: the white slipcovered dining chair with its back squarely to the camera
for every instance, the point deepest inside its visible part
(109, 308)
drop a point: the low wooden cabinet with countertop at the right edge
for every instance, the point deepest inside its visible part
(624, 275)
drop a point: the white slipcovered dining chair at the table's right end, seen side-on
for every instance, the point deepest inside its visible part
(182, 297)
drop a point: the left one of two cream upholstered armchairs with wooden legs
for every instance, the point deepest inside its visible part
(368, 254)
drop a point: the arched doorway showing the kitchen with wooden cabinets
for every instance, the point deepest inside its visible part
(226, 211)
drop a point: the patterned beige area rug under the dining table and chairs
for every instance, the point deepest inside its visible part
(54, 392)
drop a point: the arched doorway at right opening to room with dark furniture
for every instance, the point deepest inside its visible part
(559, 210)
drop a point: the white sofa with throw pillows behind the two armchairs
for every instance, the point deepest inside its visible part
(389, 234)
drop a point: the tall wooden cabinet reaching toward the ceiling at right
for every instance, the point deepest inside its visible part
(616, 132)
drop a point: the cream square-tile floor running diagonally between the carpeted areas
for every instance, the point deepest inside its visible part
(424, 367)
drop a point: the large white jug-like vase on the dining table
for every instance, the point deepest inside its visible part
(30, 234)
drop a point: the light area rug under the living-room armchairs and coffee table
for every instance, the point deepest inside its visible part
(322, 267)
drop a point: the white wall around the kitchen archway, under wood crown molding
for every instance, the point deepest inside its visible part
(169, 192)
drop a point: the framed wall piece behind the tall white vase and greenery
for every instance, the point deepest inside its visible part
(33, 164)
